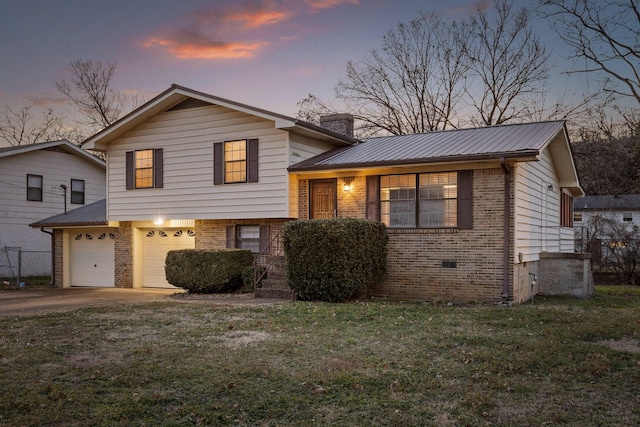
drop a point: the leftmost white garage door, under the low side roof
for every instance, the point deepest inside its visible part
(91, 257)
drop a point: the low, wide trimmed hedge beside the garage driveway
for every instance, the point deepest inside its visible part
(206, 271)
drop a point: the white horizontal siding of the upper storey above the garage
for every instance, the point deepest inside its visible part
(187, 137)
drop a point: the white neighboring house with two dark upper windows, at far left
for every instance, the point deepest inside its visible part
(40, 180)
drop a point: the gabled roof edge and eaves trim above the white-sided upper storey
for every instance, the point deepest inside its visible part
(281, 121)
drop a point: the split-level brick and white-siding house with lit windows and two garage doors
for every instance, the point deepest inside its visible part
(472, 215)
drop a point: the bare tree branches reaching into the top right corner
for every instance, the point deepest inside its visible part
(605, 34)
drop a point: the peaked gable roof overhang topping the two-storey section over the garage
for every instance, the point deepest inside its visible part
(177, 94)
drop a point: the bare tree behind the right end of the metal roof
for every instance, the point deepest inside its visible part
(509, 61)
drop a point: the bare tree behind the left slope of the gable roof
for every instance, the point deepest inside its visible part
(90, 90)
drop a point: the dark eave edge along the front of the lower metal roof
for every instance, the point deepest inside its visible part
(528, 155)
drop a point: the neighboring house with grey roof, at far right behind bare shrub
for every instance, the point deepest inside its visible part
(624, 209)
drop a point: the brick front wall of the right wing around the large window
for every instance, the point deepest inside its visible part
(415, 268)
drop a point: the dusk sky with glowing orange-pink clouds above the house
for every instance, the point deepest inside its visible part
(266, 53)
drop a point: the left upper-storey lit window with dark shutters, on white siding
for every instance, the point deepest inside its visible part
(144, 169)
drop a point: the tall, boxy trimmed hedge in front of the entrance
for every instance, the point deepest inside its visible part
(334, 260)
